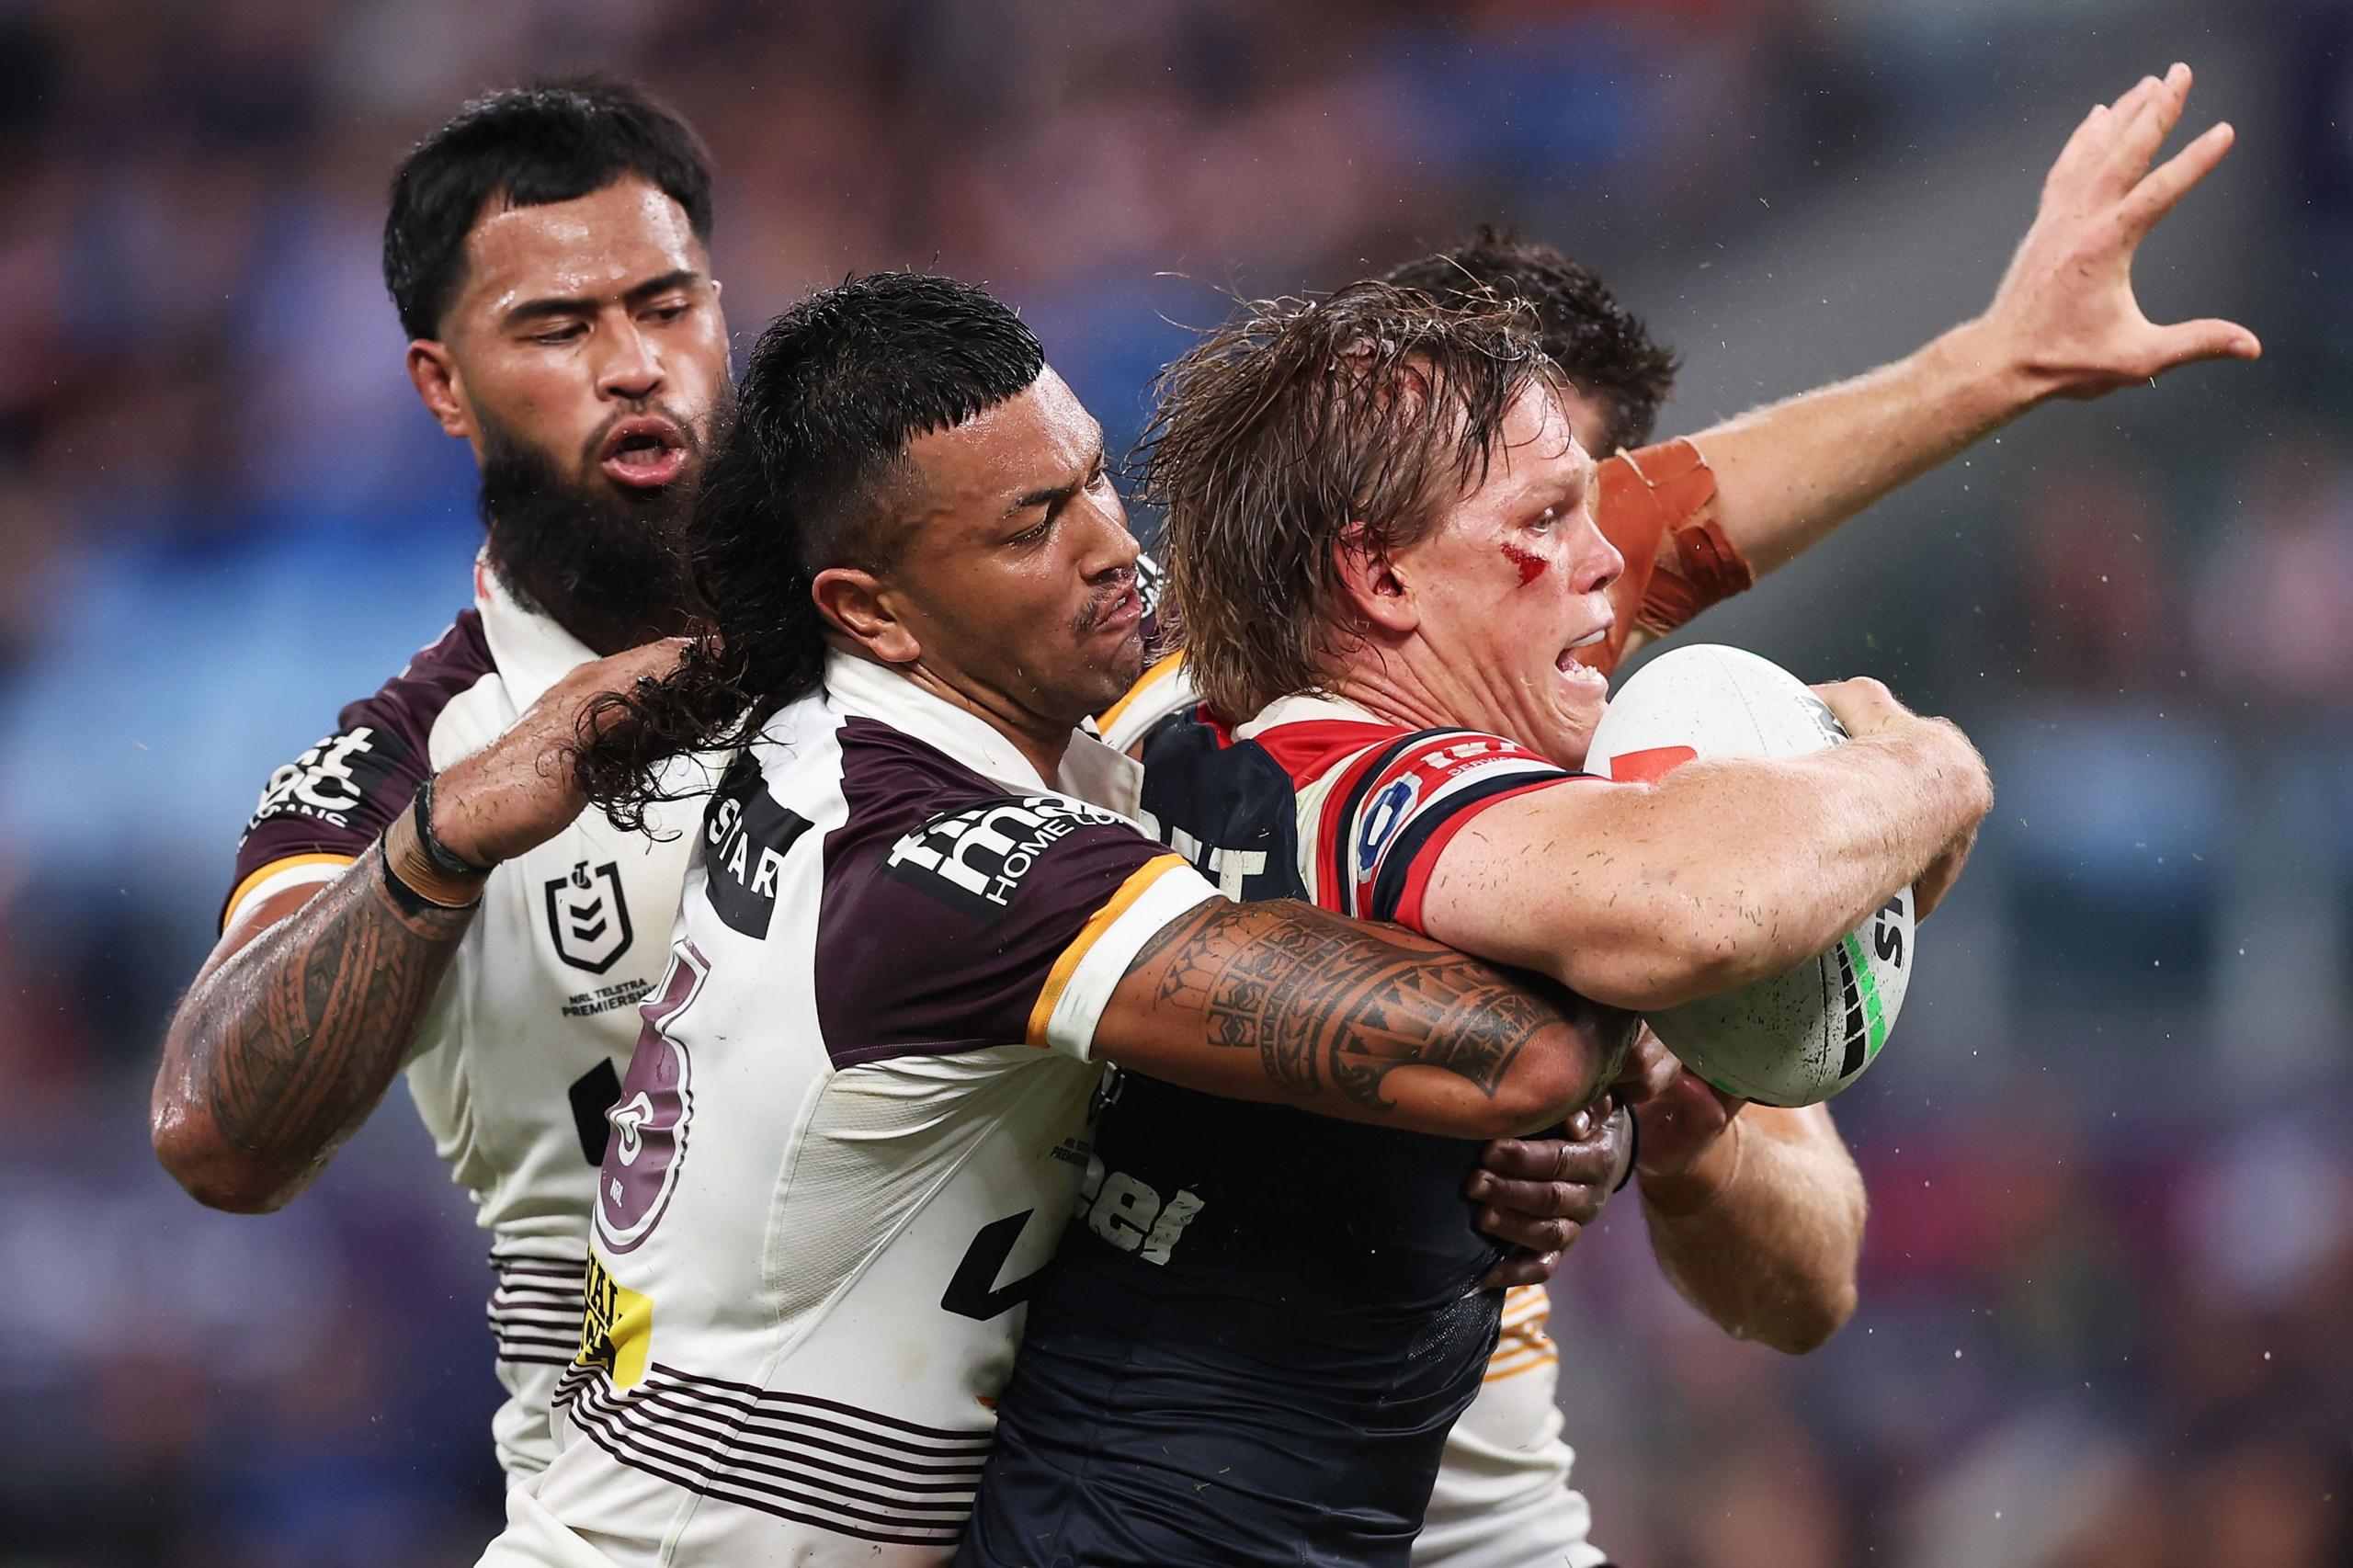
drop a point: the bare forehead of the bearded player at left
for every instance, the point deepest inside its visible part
(589, 248)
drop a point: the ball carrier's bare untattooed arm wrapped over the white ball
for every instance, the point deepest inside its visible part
(1724, 872)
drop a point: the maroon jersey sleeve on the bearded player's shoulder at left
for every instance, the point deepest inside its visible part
(321, 811)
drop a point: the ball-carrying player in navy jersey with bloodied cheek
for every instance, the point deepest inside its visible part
(1382, 552)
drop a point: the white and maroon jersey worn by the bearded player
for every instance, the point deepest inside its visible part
(524, 1047)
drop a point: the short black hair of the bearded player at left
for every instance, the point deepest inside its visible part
(549, 142)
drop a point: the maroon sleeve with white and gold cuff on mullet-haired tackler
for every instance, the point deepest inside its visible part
(1006, 919)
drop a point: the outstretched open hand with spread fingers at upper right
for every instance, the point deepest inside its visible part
(2065, 312)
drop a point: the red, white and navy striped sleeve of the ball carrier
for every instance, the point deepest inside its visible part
(1394, 813)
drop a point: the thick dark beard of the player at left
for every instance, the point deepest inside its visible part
(596, 559)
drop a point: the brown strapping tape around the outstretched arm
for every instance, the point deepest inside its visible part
(1658, 507)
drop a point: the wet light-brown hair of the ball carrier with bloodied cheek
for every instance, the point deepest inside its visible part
(1302, 425)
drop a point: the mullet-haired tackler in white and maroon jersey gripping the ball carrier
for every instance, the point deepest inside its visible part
(916, 922)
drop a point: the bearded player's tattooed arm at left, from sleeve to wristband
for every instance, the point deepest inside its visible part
(279, 1054)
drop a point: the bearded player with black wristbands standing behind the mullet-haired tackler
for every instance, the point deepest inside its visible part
(415, 891)
